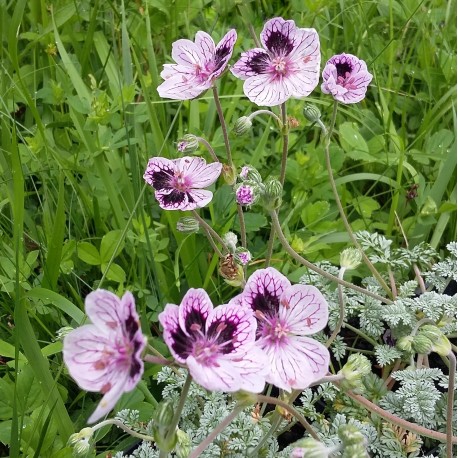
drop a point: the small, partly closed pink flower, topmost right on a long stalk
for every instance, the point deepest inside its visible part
(346, 78)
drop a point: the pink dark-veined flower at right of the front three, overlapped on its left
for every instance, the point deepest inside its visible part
(286, 314)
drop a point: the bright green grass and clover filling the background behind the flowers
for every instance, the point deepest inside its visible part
(80, 116)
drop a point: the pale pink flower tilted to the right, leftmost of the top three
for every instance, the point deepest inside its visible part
(197, 65)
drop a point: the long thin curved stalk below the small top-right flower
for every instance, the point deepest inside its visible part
(348, 228)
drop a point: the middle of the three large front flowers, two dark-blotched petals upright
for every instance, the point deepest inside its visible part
(216, 344)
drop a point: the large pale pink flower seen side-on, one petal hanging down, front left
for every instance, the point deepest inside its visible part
(105, 355)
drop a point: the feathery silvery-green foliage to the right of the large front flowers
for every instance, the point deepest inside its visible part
(396, 332)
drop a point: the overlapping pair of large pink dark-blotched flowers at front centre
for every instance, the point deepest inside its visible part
(261, 335)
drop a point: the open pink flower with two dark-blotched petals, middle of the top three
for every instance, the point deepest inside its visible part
(289, 65)
